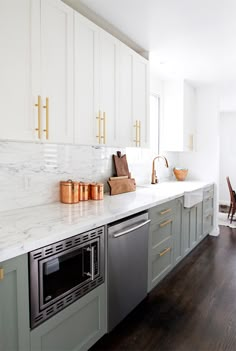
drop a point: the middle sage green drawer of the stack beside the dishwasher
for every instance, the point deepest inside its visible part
(161, 230)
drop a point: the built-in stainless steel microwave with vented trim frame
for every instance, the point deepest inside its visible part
(63, 272)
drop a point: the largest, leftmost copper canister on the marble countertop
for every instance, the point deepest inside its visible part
(69, 192)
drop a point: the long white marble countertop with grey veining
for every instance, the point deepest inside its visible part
(27, 229)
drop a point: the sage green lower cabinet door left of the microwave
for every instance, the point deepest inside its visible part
(14, 305)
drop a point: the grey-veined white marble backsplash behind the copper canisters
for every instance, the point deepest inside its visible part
(30, 172)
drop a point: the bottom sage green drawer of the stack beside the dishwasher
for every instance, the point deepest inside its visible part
(162, 261)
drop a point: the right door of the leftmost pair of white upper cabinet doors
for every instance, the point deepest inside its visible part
(57, 71)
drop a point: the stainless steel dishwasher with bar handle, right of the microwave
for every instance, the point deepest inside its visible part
(127, 266)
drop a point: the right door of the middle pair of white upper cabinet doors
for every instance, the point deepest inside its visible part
(108, 87)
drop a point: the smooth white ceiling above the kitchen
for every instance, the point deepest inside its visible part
(191, 39)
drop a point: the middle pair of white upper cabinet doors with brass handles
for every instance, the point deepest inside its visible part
(96, 86)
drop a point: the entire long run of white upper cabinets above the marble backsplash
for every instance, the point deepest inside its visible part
(64, 79)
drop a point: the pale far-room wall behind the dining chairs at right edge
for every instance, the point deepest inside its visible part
(227, 155)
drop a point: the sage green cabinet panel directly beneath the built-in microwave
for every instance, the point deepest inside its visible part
(75, 328)
